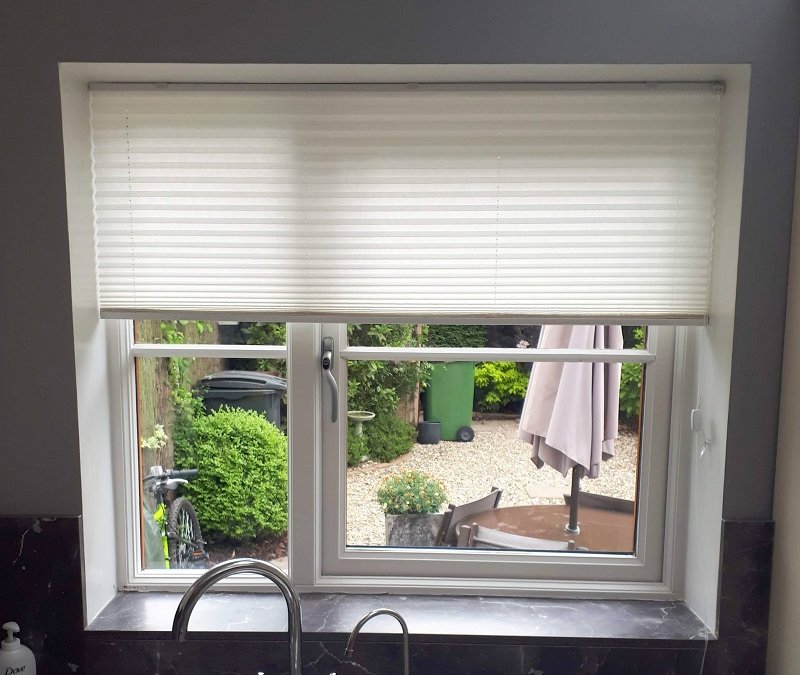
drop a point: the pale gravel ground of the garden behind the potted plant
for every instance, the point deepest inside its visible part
(496, 457)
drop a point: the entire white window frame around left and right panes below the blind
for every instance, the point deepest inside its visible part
(321, 447)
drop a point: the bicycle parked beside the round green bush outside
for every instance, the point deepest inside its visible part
(181, 539)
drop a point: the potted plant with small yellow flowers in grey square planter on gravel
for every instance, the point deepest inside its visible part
(410, 501)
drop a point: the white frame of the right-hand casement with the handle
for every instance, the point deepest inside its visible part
(461, 571)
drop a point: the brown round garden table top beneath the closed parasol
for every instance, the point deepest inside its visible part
(600, 529)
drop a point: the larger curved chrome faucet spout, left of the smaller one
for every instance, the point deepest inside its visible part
(180, 623)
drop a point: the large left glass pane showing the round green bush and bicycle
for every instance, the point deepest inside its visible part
(224, 426)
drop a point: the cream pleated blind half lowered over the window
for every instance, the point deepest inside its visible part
(586, 205)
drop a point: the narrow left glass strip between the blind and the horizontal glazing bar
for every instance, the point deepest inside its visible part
(209, 332)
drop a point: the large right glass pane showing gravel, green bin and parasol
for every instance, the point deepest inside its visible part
(455, 427)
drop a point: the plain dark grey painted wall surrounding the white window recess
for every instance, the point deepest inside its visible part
(38, 429)
